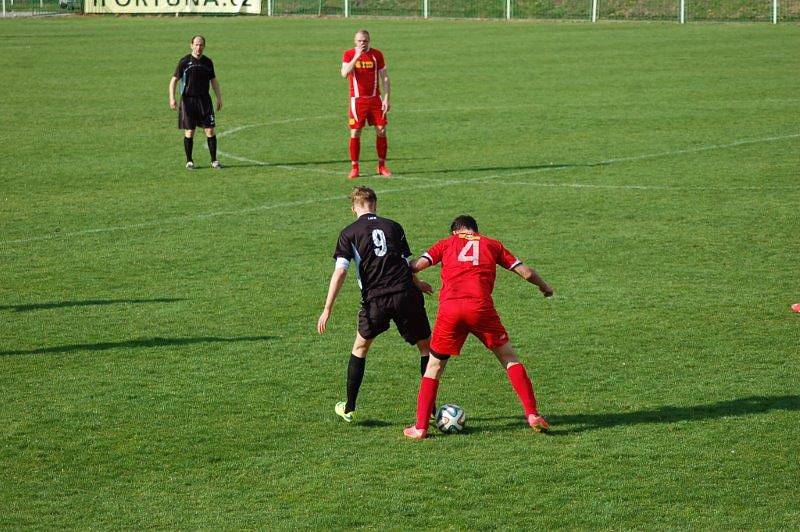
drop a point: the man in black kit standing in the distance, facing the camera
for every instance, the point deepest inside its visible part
(194, 73)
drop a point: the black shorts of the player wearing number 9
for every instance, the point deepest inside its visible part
(406, 309)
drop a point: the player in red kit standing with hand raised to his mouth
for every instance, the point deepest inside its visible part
(364, 67)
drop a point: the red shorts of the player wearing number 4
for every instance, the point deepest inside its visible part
(457, 318)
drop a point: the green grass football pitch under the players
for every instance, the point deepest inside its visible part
(159, 363)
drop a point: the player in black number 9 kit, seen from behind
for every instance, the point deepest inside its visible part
(389, 290)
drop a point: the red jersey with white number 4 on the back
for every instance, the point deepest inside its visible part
(469, 265)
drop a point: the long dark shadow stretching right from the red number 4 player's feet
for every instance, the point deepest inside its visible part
(566, 424)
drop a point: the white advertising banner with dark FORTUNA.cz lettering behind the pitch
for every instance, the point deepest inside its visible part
(199, 7)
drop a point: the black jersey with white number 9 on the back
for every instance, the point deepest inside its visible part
(380, 250)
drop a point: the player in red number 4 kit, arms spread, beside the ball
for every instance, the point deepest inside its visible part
(469, 262)
